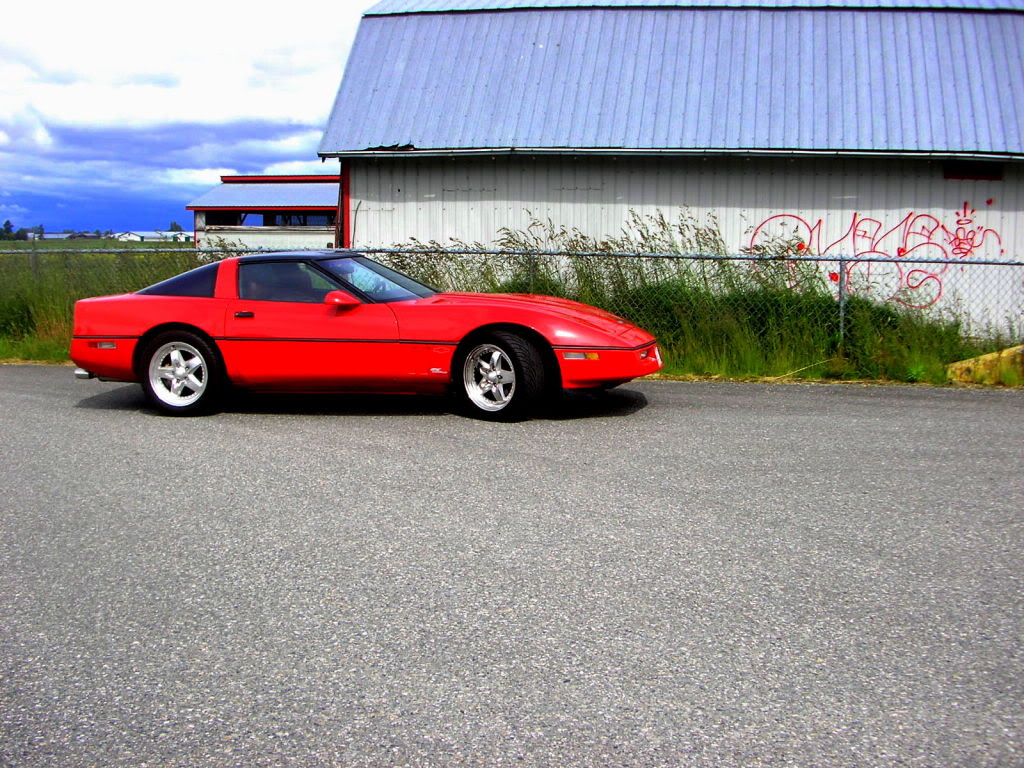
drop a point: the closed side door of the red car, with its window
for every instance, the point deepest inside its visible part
(281, 335)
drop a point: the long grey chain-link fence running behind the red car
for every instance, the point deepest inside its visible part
(731, 316)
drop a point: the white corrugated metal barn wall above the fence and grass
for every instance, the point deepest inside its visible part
(858, 202)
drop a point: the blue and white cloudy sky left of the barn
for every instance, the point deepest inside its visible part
(116, 115)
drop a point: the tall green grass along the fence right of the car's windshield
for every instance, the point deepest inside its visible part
(715, 317)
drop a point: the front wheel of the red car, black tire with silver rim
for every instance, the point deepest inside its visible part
(499, 377)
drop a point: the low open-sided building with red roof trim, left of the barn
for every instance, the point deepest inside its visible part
(269, 212)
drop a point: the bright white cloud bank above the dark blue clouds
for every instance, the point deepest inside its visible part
(138, 64)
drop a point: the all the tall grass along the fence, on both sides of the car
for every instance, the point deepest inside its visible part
(713, 317)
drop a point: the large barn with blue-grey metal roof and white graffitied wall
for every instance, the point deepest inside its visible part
(851, 126)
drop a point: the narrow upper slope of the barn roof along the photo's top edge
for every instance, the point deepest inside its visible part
(388, 8)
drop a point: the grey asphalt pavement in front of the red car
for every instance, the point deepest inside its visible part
(671, 575)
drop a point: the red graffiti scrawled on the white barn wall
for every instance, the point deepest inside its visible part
(916, 237)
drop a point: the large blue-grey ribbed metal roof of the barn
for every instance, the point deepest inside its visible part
(671, 79)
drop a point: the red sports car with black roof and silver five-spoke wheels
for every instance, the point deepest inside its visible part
(337, 322)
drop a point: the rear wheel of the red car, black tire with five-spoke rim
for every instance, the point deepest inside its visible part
(182, 374)
